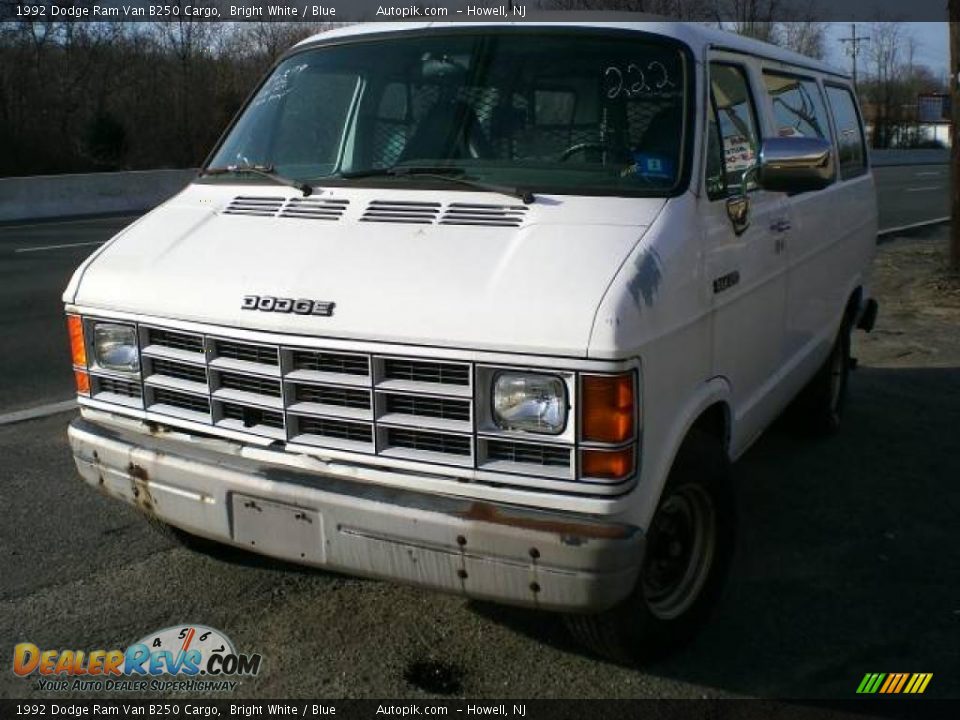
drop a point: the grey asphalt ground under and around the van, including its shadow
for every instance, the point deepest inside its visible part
(846, 561)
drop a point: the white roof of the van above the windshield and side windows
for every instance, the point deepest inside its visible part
(695, 35)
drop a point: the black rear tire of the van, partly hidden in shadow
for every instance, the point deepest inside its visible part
(819, 406)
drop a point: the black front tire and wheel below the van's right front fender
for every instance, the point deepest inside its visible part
(664, 612)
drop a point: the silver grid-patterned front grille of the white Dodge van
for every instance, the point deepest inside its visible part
(375, 408)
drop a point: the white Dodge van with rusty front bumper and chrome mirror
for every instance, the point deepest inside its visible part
(488, 309)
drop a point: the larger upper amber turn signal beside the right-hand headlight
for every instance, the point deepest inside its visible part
(607, 407)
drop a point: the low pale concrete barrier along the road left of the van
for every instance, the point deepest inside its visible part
(42, 197)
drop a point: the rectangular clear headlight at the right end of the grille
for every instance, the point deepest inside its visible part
(536, 403)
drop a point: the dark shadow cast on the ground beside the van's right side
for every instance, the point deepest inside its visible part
(847, 558)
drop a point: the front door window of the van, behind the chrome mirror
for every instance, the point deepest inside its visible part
(733, 142)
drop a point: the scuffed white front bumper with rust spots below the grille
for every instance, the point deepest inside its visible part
(504, 553)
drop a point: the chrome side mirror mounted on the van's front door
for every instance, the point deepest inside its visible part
(795, 164)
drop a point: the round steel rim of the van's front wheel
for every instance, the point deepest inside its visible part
(680, 549)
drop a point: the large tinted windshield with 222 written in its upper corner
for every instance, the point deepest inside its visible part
(574, 113)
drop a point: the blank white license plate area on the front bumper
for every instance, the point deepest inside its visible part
(277, 529)
